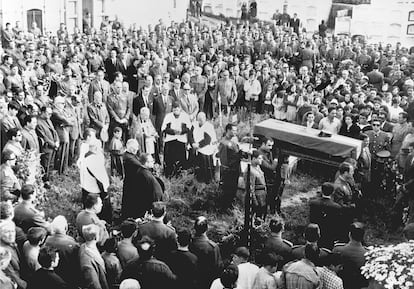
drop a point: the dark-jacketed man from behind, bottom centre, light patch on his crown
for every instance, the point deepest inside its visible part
(207, 252)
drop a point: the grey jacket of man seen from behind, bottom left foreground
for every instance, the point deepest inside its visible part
(93, 270)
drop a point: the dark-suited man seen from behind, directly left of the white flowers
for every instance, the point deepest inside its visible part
(353, 256)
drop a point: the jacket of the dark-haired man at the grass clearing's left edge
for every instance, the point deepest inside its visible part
(27, 216)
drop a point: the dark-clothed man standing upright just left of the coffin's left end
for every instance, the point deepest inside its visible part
(230, 155)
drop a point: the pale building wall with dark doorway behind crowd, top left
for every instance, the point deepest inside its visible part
(48, 14)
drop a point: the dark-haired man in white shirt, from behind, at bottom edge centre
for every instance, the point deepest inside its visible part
(247, 270)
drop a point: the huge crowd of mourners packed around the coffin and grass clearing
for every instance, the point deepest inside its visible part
(152, 96)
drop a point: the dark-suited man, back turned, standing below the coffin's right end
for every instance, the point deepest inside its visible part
(325, 212)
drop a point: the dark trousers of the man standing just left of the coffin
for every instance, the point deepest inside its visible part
(230, 181)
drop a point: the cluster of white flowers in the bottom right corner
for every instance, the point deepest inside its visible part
(391, 266)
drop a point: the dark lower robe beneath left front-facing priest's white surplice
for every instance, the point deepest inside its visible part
(174, 157)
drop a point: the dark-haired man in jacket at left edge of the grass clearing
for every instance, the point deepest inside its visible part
(25, 213)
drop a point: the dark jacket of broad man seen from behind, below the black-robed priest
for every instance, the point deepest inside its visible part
(163, 235)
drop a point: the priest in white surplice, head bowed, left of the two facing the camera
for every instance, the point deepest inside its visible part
(175, 127)
